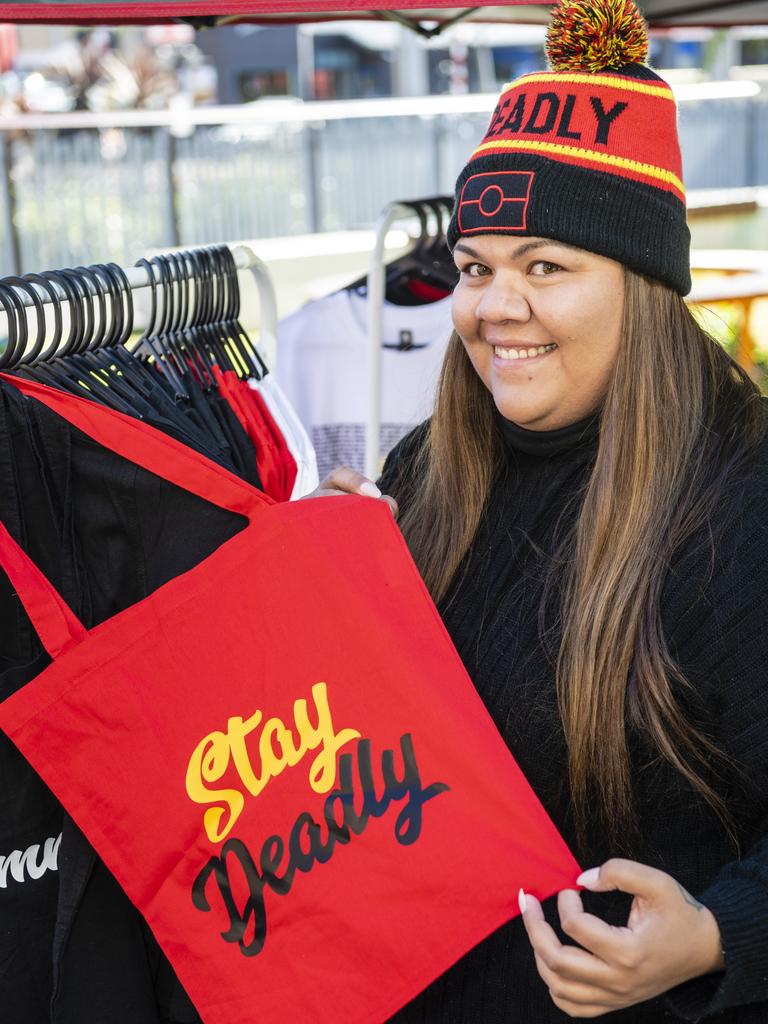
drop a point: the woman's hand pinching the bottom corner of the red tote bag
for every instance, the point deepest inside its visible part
(670, 937)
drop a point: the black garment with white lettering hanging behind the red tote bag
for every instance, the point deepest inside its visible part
(107, 534)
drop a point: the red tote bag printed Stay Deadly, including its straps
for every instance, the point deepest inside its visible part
(281, 757)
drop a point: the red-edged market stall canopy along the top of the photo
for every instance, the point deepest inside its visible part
(430, 21)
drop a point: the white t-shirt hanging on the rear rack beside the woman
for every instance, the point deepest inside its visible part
(323, 369)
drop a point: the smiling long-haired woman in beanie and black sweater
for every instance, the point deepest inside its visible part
(586, 506)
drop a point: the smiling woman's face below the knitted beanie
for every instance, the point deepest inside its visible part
(541, 322)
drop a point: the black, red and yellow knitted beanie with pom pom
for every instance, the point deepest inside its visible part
(587, 153)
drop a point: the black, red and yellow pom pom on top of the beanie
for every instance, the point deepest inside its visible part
(593, 35)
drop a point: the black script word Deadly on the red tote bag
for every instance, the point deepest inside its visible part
(304, 856)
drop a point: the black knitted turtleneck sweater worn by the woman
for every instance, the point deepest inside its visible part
(714, 619)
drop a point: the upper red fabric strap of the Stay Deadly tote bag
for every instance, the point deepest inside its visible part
(150, 449)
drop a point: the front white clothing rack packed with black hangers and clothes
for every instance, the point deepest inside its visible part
(193, 374)
